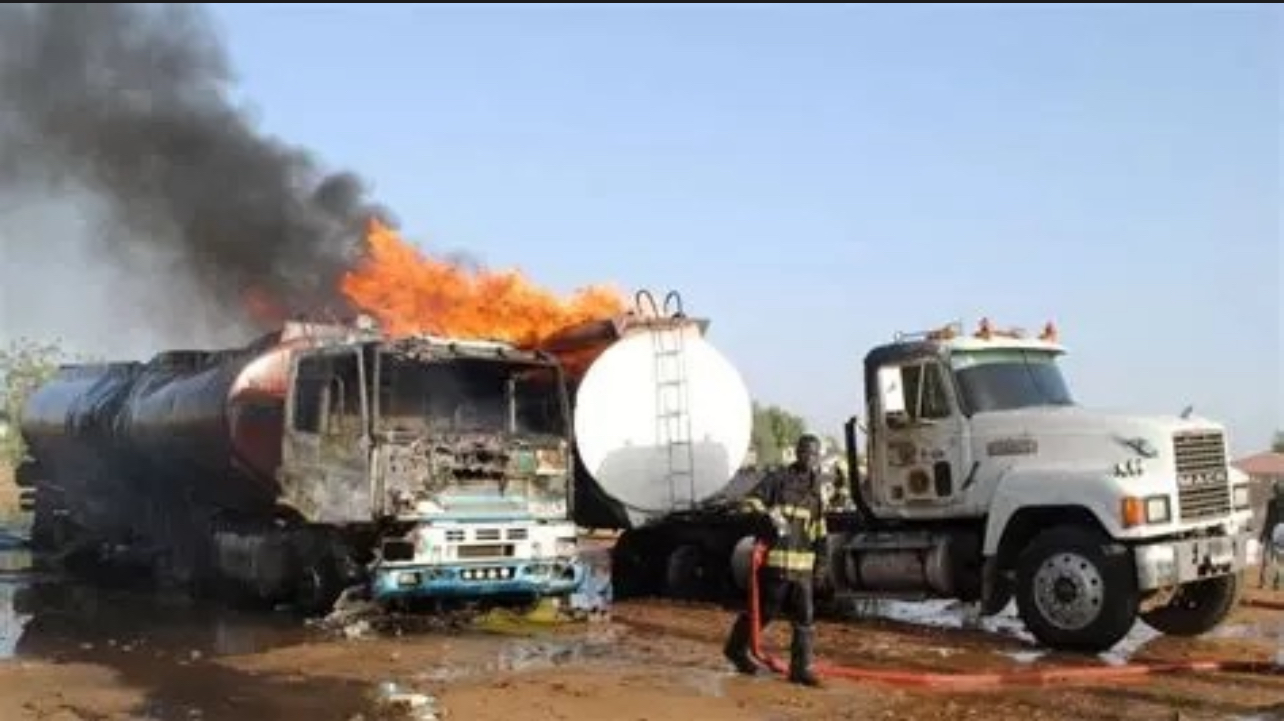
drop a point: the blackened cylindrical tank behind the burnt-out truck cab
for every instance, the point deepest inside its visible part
(192, 427)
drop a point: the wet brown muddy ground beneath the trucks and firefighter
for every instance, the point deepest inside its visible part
(71, 654)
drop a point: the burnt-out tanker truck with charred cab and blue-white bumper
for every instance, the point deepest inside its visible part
(317, 459)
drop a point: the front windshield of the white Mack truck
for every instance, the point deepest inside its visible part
(1010, 379)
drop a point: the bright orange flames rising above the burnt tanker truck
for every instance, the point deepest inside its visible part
(410, 293)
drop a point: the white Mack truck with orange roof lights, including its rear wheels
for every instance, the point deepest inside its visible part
(987, 483)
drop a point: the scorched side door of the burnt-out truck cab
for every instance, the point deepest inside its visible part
(325, 468)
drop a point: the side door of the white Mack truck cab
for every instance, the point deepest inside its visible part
(924, 459)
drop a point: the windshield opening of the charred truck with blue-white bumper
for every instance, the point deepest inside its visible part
(471, 396)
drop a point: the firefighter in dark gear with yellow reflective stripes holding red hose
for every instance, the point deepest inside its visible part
(794, 504)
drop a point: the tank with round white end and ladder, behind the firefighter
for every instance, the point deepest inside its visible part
(663, 421)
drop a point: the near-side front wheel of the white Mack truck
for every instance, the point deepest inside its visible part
(1073, 595)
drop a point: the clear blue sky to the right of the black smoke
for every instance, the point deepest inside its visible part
(815, 179)
